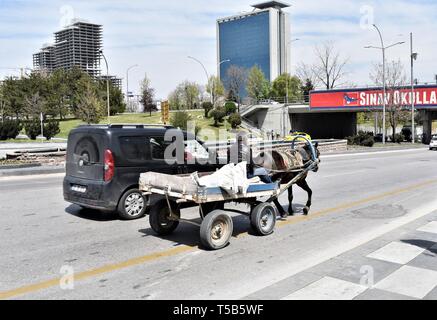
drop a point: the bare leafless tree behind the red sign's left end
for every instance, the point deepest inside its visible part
(329, 68)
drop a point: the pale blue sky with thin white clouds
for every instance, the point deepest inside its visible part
(159, 35)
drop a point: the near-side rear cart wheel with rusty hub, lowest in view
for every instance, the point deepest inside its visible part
(216, 230)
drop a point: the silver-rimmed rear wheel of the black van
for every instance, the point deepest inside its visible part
(132, 205)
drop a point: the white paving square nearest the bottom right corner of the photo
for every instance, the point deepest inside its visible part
(410, 281)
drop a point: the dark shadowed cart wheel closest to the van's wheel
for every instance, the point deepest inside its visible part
(159, 218)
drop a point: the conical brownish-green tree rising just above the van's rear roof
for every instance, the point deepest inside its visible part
(90, 108)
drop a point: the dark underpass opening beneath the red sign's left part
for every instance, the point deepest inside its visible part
(336, 125)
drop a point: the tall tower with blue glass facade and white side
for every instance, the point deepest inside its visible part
(260, 38)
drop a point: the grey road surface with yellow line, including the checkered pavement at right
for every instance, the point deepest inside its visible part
(362, 204)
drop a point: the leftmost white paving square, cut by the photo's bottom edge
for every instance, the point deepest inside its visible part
(328, 289)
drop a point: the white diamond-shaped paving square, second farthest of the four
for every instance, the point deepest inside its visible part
(397, 252)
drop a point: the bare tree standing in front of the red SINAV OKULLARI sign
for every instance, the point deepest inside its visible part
(395, 78)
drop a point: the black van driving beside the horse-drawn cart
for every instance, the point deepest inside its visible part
(104, 164)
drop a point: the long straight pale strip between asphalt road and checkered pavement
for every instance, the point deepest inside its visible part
(315, 258)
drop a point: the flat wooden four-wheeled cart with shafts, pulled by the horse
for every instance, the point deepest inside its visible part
(216, 227)
